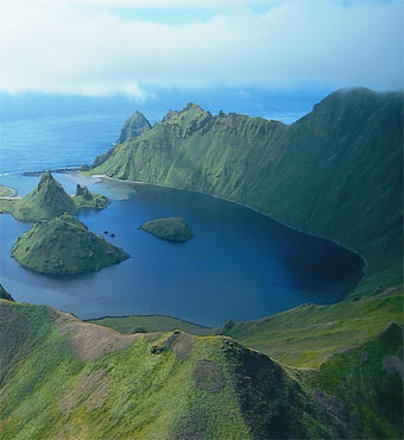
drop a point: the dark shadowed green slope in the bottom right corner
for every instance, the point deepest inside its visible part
(369, 383)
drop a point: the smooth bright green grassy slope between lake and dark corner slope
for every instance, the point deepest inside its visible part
(308, 335)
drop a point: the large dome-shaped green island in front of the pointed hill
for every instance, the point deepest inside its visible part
(64, 245)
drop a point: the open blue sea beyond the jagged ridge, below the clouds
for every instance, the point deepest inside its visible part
(45, 131)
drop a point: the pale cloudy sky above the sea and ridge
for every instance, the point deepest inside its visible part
(101, 47)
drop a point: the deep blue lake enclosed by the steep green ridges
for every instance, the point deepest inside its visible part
(240, 264)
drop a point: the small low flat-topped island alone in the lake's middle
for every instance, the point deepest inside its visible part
(170, 228)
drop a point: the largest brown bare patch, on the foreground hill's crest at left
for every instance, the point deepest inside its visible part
(91, 341)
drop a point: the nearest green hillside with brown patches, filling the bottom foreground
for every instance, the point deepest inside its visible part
(62, 378)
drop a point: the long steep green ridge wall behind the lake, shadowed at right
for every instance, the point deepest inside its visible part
(337, 172)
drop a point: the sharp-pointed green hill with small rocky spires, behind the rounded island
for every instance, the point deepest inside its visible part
(49, 200)
